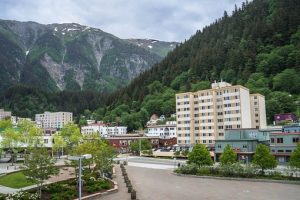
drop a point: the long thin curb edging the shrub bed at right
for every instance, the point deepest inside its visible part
(239, 179)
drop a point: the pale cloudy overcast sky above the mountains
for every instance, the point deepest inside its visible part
(167, 20)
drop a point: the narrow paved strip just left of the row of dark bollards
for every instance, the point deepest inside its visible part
(122, 190)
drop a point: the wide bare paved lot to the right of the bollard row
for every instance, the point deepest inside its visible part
(159, 184)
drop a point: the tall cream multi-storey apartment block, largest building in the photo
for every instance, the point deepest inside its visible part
(203, 116)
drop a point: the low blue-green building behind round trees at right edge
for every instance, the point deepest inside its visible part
(281, 141)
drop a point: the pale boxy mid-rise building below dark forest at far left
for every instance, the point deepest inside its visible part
(53, 120)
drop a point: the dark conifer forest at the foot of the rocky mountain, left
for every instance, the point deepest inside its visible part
(26, 101)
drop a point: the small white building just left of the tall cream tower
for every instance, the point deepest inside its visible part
(165, 131)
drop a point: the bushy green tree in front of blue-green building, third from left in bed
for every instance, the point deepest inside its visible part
(263, 158)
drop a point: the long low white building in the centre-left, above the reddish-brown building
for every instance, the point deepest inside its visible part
(103, 129)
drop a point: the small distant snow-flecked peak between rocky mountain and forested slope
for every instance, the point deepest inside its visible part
(160, 48)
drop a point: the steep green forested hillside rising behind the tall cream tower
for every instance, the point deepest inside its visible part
(257, 45)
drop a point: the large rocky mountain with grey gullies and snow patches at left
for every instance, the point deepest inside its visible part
(69, 56)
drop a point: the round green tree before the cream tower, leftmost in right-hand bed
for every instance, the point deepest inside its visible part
(200, 156)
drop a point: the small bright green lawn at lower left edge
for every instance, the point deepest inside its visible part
(15, 180)
